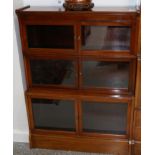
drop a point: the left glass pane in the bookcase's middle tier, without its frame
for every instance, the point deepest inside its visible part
(58, 72)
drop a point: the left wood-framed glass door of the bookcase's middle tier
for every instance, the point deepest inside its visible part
(52, 71)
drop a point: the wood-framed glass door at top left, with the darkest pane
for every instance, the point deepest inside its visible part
(49, 37)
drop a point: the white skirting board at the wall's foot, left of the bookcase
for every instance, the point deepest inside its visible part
(20, 136)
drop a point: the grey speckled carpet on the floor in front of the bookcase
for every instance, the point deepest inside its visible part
(23, 149)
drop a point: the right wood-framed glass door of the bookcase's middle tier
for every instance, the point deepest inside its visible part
(110, 75)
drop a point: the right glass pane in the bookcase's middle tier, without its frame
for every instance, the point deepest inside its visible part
(105, 74)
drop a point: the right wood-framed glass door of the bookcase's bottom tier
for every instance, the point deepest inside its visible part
(105, 117)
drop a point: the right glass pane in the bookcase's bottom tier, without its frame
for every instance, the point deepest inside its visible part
(104, 117)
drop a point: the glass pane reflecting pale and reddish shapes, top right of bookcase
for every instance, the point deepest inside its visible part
(105, 37)
